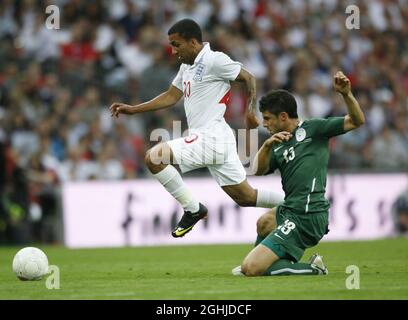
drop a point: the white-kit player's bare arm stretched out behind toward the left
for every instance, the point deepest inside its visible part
(162, 101)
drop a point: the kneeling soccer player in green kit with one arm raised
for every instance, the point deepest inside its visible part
(299, 149)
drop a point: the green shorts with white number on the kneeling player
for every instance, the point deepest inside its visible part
(295, 233)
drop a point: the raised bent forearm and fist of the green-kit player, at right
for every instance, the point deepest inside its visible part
(355, 117)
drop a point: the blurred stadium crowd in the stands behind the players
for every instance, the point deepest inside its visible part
(56, 85)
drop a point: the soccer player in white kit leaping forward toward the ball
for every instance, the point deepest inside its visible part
(204, 82)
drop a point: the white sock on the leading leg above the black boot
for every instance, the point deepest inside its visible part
(174, 184)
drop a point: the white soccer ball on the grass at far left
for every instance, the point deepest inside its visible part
(30, 264)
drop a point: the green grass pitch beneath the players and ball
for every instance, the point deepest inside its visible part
(203, 272)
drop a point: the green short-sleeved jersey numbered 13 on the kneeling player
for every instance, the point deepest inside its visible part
(302, 162)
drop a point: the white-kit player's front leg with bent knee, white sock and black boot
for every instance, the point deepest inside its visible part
(159, 160)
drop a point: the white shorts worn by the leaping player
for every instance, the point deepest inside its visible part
(214, 149)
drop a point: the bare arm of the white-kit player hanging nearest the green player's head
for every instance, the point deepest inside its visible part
(245, 76)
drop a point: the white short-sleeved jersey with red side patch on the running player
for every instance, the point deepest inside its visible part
(206, 87)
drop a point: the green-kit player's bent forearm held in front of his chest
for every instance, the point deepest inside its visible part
(262, 158)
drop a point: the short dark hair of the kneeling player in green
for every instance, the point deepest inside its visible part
(277, 101)
